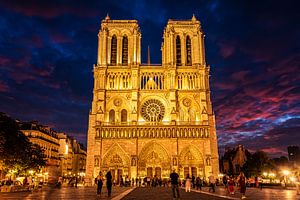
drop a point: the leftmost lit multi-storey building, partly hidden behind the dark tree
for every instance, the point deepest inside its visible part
(48, 140)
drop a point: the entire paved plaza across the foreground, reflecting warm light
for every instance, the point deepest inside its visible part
(159, 193)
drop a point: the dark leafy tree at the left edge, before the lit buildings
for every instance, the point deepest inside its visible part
(16, 151)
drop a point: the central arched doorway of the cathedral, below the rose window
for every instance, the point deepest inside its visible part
(154, 161)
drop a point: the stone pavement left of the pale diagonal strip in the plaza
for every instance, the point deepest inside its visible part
(70, 193)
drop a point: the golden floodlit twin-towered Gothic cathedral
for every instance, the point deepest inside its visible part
(149, 119)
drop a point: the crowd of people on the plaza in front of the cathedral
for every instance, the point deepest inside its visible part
(231, 184)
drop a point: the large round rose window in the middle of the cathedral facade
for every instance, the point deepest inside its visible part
(153, 110)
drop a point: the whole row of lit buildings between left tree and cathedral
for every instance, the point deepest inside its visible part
(64, 155)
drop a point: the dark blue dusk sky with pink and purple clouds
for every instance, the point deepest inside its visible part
(48, 48)
